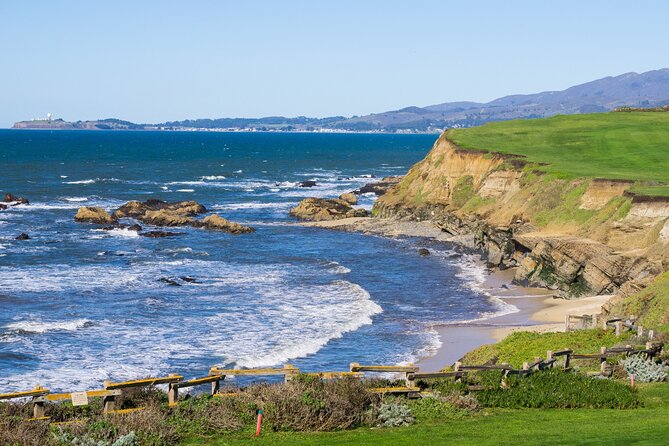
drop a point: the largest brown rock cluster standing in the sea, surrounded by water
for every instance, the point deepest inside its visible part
(159, 213)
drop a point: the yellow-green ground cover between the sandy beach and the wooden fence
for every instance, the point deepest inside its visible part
(523, 346)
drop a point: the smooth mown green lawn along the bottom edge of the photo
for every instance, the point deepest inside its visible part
(644, 426)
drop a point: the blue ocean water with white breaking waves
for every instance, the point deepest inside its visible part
(79, 305)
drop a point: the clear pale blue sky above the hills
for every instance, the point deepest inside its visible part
(151, 61)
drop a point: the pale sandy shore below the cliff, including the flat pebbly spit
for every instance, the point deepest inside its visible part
(538, 309)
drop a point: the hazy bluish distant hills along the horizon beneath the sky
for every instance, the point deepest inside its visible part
(649, 89)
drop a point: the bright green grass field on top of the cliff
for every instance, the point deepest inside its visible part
(632, 146)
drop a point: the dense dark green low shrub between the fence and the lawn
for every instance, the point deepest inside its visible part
(558, 389)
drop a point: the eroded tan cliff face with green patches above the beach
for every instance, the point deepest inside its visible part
(577, 236)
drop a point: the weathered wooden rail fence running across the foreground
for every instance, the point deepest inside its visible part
(409, 373)
